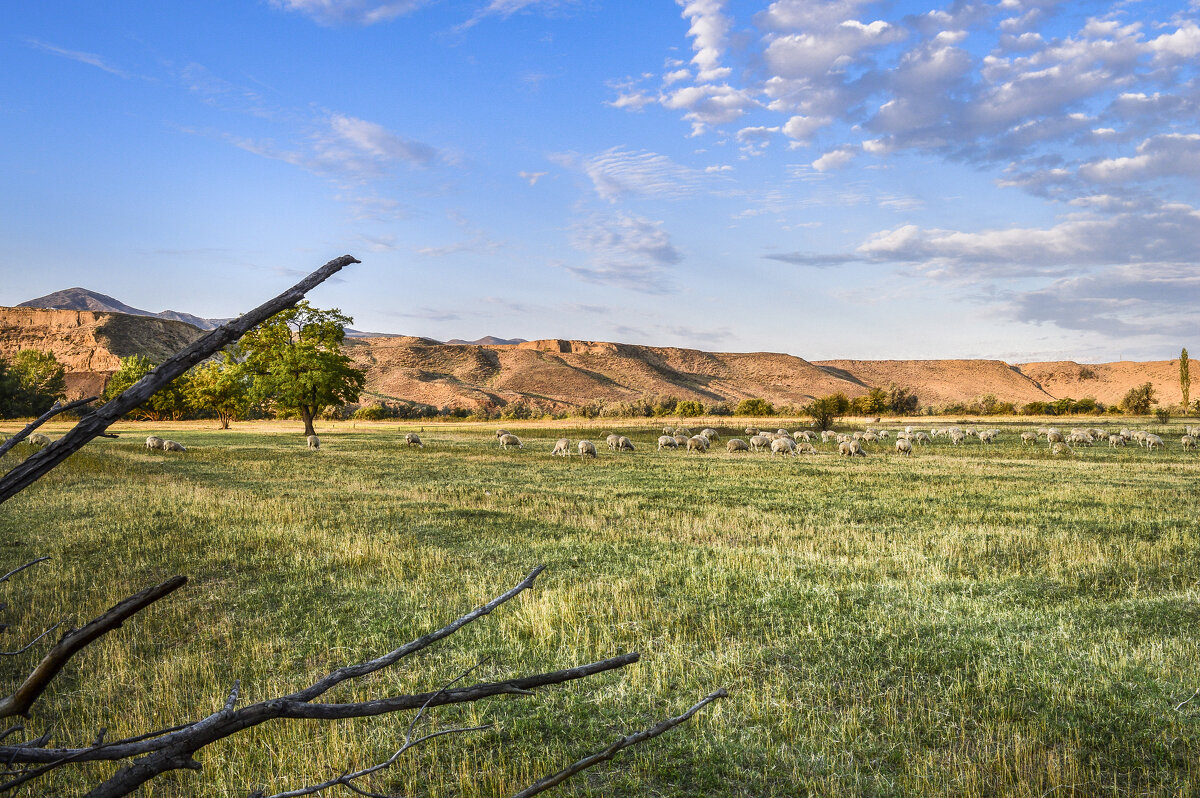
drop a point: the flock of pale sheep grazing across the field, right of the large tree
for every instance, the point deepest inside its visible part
(854, 445)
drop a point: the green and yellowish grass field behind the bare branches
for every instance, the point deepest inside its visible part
(968, 622)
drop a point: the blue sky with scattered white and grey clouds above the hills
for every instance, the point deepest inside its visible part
(1013, 179)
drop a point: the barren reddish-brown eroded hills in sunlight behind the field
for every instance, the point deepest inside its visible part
(563, 374)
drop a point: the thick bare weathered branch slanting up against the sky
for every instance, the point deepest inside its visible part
(94, 424)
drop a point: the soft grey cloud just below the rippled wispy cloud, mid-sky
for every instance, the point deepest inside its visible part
(627, 251)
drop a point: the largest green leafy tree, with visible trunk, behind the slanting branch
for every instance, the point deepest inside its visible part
(296, 362)
